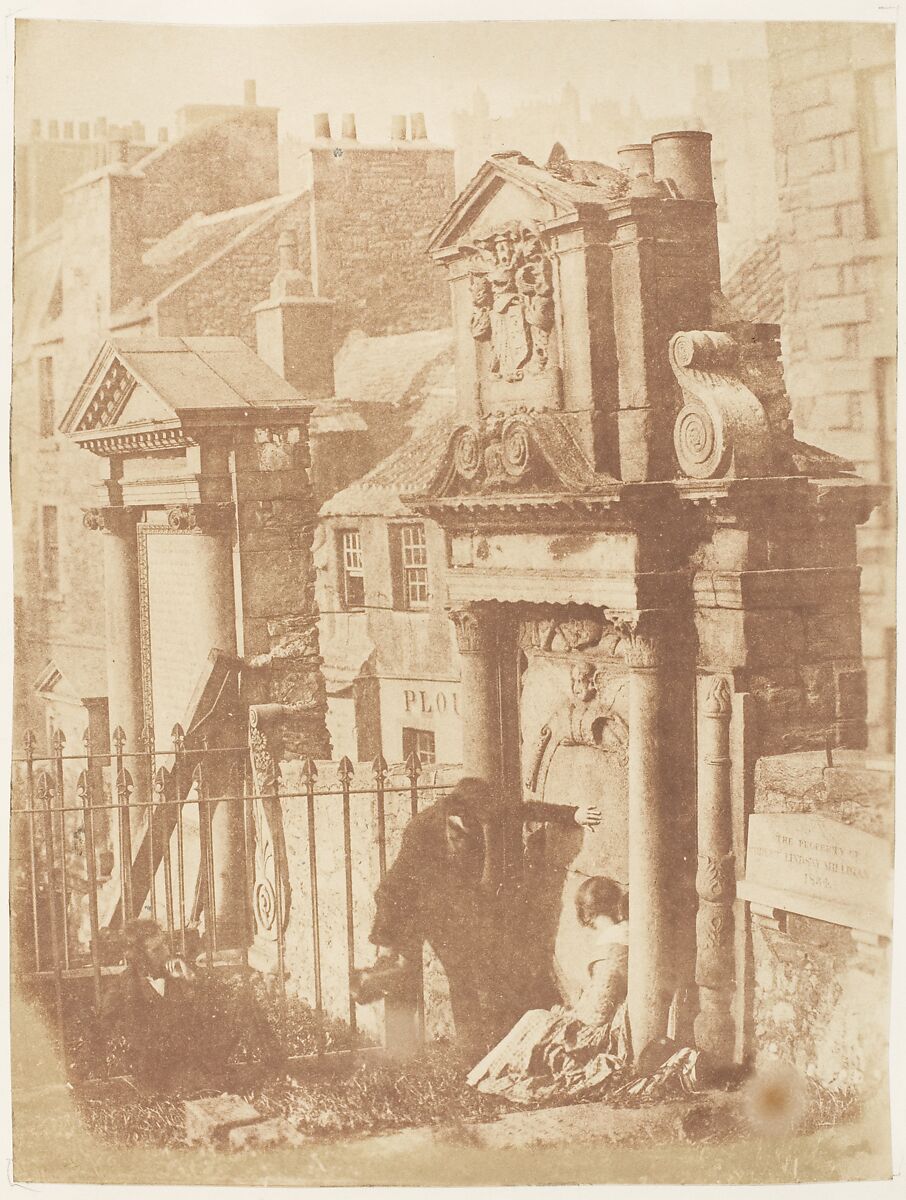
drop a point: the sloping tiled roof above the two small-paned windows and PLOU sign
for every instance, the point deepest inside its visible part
(409, 470)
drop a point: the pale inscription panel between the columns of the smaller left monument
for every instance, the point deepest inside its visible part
(179, 649)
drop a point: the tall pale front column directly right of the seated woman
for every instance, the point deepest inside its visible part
(651, 953)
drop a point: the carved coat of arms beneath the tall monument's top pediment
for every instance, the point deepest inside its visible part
(513, 299)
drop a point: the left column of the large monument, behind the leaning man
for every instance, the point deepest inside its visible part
(477, 635)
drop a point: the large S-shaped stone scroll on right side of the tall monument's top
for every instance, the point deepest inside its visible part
(723, 430)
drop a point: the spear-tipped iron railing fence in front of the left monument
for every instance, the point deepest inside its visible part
(172, 836)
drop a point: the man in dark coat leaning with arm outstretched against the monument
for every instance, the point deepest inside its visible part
(439, 891)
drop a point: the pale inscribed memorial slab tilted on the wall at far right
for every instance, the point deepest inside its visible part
(808, 865)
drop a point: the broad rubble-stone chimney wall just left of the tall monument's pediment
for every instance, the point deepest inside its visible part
(374, 209)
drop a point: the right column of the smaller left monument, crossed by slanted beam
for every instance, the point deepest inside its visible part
(215, 626)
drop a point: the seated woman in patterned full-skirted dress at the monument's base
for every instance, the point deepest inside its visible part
(572, 1053)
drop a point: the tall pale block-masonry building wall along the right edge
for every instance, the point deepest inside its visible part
(835, 130)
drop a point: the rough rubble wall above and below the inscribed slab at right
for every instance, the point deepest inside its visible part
(819, 997)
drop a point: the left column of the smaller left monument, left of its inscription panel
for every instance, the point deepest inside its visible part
(122, 616)
